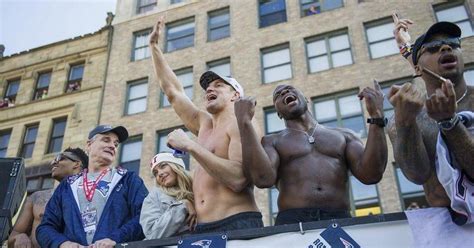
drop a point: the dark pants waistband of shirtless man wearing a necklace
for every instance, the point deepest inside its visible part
(296, 215)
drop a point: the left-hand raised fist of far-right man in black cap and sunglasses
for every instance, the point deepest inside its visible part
(407, 101)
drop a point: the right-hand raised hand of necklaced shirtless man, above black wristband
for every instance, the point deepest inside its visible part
(373, 100)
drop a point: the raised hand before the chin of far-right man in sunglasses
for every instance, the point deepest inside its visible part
(442, 104)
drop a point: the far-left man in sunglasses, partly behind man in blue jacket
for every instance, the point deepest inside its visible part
(69, 162)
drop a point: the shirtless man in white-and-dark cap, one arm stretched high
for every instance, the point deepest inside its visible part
(223, 195)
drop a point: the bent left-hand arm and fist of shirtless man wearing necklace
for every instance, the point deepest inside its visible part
(259, 162)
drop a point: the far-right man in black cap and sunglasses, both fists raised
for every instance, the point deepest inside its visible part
(421, 122)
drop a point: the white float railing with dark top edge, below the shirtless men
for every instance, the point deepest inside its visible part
(385, 230)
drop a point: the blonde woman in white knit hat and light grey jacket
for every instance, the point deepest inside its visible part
(168, 209)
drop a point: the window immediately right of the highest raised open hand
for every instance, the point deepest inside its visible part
(180, 35)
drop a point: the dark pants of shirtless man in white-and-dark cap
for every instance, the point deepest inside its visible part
(242, 220)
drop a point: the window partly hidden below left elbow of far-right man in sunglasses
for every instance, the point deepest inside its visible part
(412, 195)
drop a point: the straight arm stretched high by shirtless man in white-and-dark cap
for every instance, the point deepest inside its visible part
(184, 107)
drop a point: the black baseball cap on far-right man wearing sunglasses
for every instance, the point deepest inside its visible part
(448, 28)
